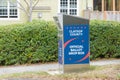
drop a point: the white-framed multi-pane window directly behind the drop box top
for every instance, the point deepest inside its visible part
(68, 7)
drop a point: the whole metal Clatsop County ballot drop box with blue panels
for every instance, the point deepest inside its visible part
(73, 43)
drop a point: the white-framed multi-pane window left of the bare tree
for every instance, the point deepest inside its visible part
(8, 9)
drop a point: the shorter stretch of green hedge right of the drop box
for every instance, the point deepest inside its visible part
(104, 39)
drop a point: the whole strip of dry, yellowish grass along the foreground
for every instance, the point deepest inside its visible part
(108, 72)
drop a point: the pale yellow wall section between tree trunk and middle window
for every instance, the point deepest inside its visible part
(46, 14)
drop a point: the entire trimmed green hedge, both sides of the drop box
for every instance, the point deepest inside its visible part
(37, 42)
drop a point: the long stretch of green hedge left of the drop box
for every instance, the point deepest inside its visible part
(28, 43)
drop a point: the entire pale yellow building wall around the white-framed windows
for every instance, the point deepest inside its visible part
(46, 14)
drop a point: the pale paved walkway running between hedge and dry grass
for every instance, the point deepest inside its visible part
(47, 67)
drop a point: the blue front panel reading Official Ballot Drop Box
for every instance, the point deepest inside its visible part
(76, 44)
